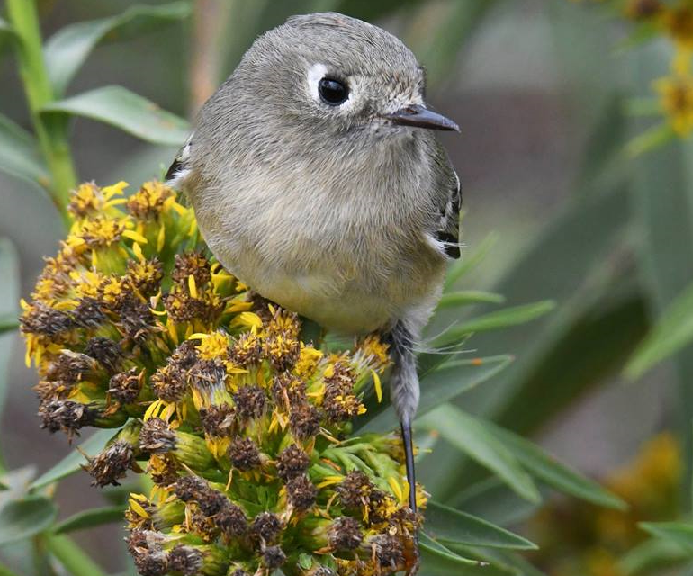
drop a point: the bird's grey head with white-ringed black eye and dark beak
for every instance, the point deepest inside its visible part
(335, 75)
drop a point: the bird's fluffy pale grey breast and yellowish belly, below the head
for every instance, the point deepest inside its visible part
(348, 259)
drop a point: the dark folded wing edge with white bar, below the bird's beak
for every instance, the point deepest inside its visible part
(449, 200)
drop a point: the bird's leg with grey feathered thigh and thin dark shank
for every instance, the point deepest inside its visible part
(404, 385)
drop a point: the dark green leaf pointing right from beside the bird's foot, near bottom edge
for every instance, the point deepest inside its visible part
(450, 525)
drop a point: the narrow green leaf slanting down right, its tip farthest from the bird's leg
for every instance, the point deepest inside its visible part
(551, 472)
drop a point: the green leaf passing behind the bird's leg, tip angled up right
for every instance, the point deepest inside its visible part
(438, 386)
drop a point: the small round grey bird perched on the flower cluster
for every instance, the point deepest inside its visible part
(317, 180)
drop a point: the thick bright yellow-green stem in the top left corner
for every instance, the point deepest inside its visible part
(52, 136)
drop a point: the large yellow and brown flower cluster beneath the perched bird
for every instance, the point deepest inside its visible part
(241, 425)
